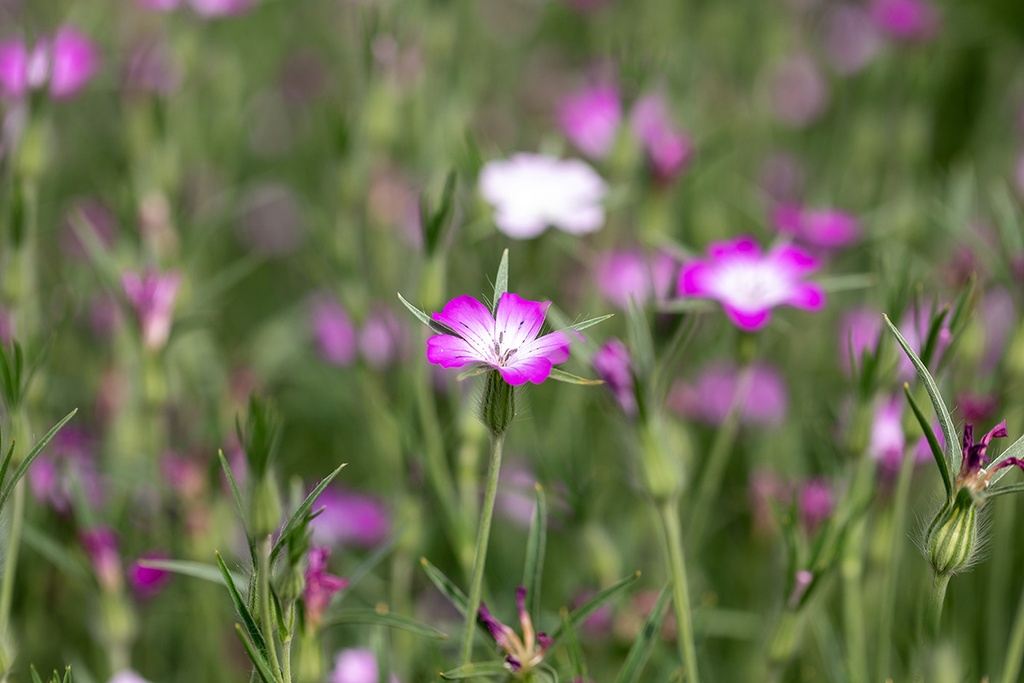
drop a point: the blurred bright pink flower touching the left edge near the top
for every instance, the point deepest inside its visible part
(64, 65)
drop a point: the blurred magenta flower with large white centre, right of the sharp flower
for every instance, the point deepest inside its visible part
(749, 285)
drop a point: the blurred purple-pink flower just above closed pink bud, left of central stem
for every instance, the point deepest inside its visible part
(350, 519)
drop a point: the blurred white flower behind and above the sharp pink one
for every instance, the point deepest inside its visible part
(532, 192)
